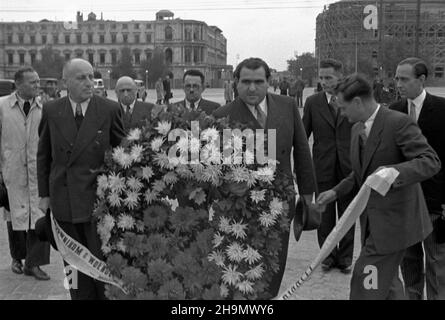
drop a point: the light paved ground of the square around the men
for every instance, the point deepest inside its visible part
(332, 285)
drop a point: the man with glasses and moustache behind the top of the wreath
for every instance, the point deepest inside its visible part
(193, 88)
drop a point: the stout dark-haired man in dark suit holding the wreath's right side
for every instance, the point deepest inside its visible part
(260, 110)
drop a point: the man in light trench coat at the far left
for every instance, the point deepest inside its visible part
(20, 115)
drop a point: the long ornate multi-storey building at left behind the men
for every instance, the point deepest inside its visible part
(186, 44)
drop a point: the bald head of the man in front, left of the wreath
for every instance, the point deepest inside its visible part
(78, 77)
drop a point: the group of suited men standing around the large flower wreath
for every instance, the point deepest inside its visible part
(48, 154)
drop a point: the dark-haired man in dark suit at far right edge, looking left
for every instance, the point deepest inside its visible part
(429, 113)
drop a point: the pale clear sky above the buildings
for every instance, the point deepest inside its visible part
(274, 30)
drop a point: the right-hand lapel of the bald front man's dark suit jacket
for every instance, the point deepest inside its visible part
(88, 130)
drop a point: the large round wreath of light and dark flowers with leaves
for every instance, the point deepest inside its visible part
(220, 242)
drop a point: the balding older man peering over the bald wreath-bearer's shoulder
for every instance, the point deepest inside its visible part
(135, 112)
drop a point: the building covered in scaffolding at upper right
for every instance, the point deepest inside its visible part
(405, 27)
